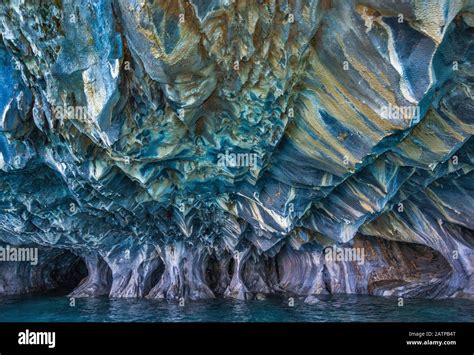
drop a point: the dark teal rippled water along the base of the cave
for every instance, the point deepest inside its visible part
(334, 309)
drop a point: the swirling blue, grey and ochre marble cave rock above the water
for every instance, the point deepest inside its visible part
(196, 149)
